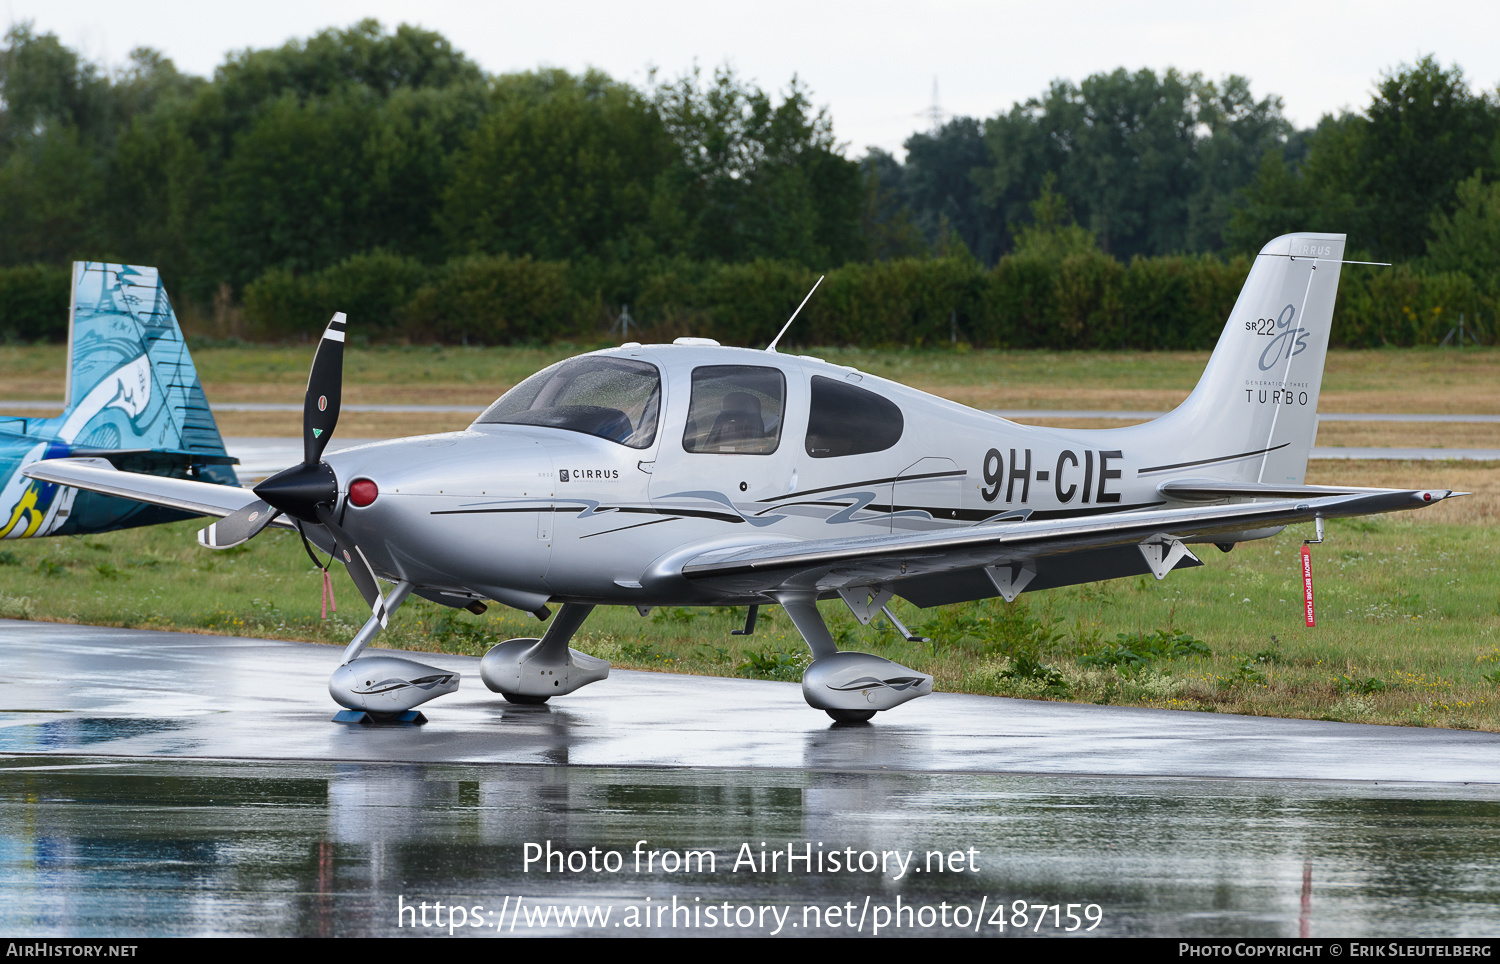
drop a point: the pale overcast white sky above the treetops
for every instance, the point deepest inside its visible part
(872, 64)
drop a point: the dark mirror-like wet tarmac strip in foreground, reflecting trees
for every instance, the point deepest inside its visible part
(320, 849)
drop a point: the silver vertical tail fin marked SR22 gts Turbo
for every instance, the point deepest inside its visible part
(1253, 416)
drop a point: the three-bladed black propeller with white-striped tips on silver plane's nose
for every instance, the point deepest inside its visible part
(308, 491)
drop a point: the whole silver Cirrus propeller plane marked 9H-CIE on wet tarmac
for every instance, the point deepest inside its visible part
(692, 475)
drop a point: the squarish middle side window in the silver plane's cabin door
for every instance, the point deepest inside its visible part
(736, 409)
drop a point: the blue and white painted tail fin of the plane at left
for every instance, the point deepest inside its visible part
(131, 383)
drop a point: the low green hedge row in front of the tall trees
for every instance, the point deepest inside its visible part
(1081, 302)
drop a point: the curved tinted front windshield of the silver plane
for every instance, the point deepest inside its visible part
(614, 400)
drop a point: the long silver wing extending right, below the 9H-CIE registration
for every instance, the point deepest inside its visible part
(860, 561)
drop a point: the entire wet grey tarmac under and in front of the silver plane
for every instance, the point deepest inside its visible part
(164, 783)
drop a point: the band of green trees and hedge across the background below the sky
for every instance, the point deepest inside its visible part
(385, 175)
